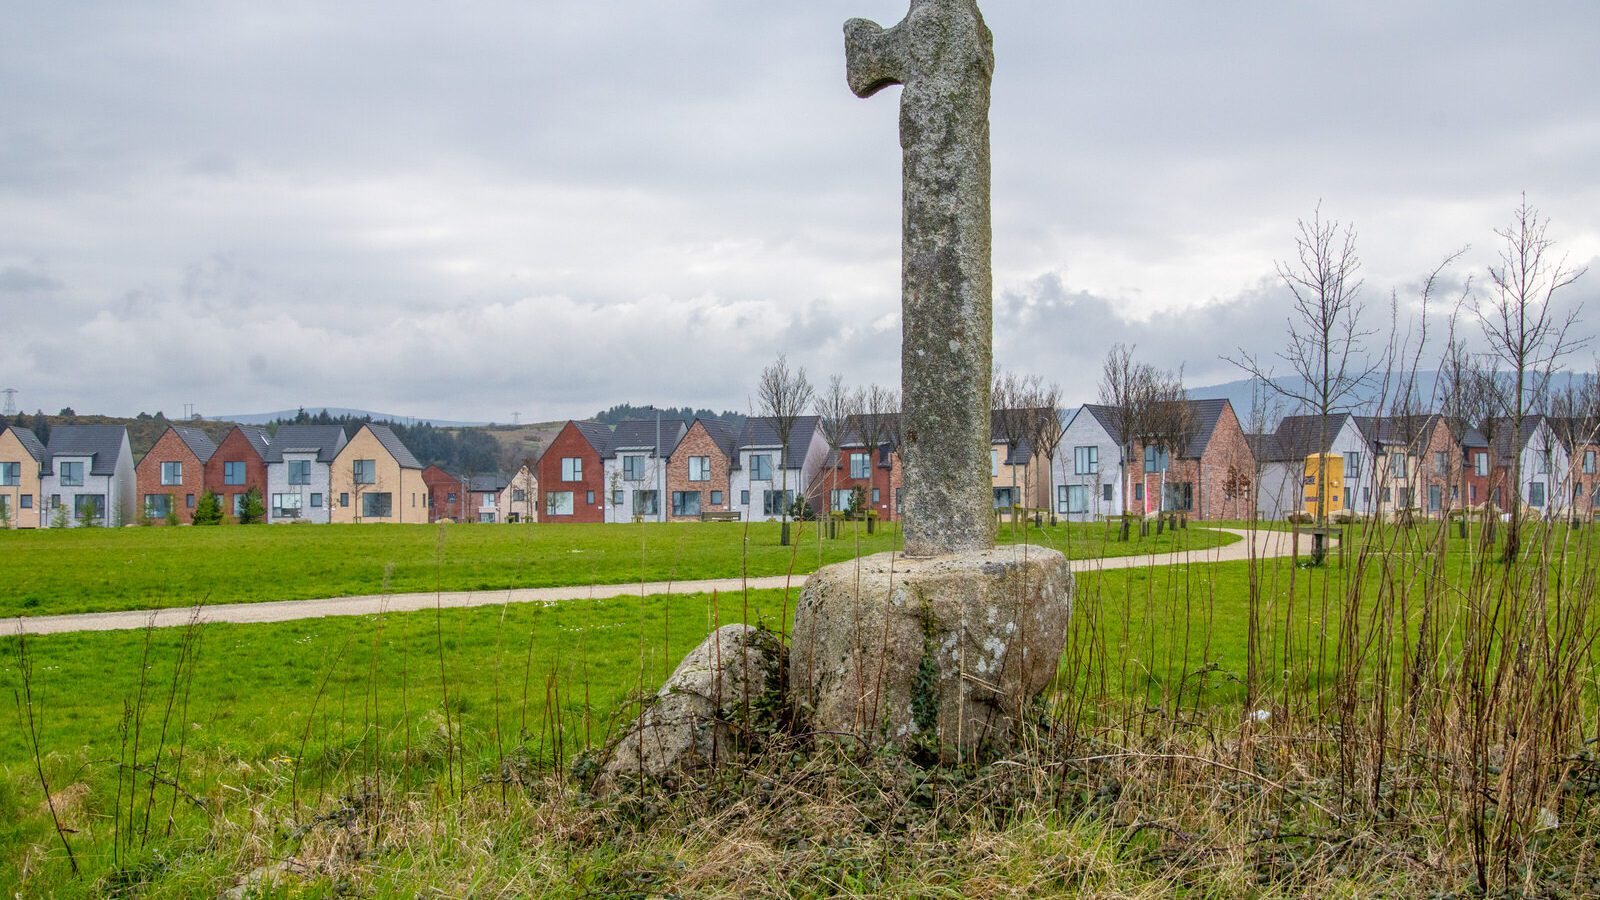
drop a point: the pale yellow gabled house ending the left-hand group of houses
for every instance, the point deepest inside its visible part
(377, 480)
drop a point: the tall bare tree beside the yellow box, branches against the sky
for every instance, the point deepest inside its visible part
(1327, 347)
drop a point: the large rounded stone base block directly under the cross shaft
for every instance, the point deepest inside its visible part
(943, 653)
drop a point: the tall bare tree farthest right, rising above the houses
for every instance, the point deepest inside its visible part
(1526, 332)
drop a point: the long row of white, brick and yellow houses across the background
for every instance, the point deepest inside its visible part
(674, 472)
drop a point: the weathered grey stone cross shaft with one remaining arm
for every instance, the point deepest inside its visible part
(943, 55)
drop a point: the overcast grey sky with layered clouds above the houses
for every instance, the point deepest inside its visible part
(466, 211)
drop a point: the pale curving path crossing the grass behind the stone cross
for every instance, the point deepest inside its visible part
(1258, 545)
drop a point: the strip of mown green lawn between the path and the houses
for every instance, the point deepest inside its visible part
(95, 569)
